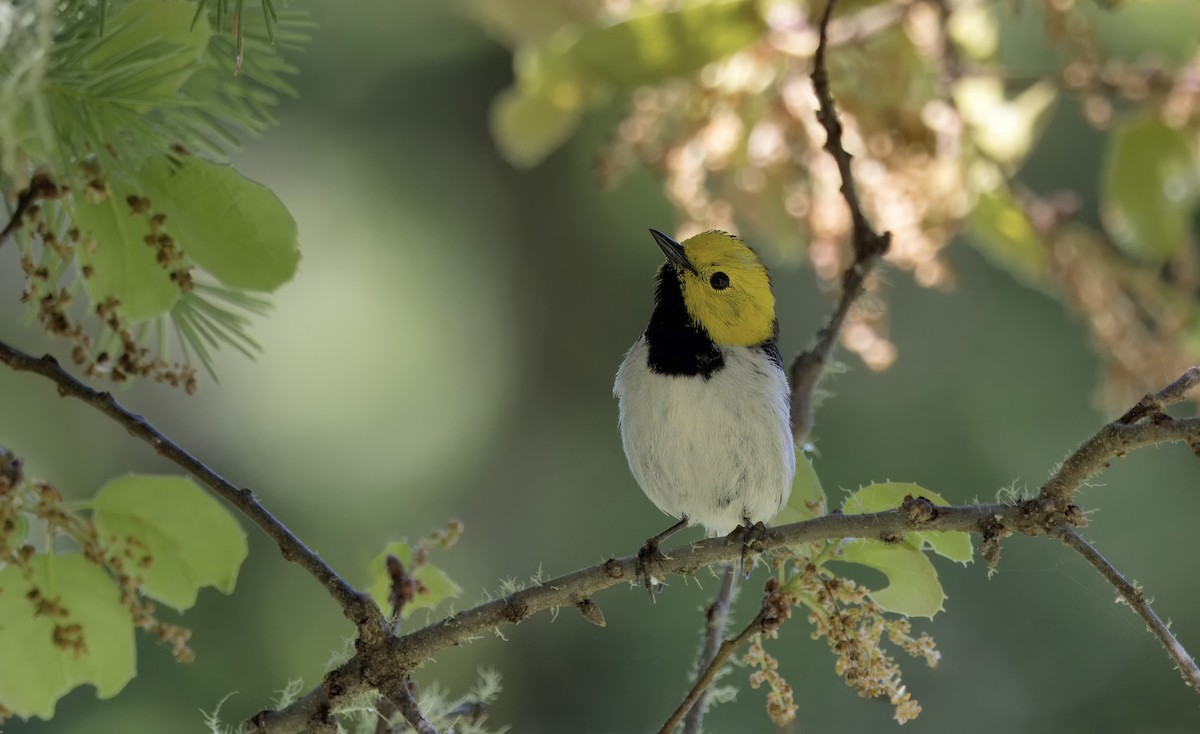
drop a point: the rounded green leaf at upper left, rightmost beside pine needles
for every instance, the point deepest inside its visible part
(232, 227)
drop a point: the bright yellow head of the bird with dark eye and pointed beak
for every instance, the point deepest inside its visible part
(725, 287)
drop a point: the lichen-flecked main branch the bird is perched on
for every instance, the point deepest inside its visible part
(1036, 516)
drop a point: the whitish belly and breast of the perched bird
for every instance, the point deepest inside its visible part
(717, 452)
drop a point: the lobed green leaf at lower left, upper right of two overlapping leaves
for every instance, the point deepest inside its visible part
(190, 538)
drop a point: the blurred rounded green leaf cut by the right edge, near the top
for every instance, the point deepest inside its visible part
(1151, 189)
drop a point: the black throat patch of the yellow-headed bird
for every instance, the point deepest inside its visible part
(677, 345)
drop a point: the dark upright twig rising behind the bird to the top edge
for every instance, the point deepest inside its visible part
(869, 246)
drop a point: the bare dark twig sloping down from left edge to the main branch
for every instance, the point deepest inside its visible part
(358, 607)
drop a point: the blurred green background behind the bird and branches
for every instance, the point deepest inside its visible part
(448, 351)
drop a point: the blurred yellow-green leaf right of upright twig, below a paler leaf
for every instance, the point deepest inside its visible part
(999, 227)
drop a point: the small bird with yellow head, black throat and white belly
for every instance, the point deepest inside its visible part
(704, 404)
